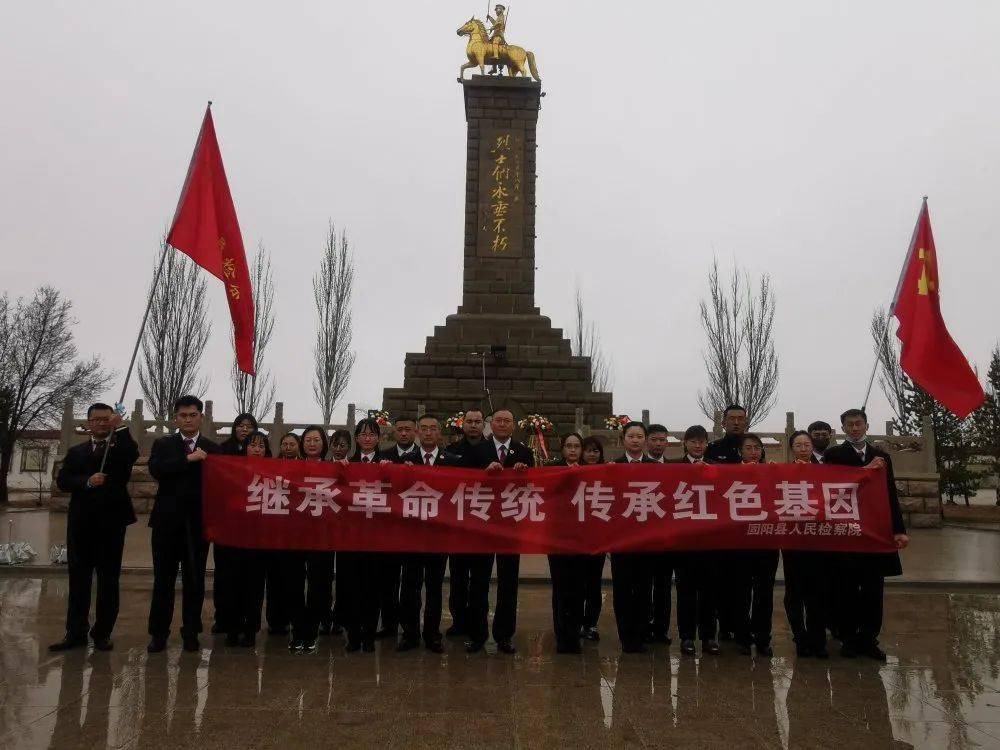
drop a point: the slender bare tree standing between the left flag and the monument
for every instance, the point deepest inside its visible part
(333, 286)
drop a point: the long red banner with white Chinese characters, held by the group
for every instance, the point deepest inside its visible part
(278, 504)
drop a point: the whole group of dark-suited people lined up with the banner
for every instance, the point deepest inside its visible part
(722, 595)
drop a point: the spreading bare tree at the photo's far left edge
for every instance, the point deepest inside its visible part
(40, 369)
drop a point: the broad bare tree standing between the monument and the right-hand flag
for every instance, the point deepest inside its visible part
(741, 363)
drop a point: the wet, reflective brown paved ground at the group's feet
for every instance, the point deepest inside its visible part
(940, 689)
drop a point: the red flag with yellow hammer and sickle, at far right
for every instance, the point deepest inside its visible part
(929, 355)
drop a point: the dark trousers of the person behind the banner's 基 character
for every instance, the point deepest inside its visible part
(806, 575)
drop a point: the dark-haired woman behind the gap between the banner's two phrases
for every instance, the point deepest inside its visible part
(568, 572)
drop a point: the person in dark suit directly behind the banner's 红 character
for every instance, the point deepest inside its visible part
(697, 584)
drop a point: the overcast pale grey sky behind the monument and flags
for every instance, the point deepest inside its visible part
(794, 138)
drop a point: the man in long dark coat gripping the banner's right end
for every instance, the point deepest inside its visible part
(862, 574)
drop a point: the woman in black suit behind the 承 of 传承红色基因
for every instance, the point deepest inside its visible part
(631, 572)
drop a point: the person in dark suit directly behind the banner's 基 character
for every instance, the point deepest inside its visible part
(806, 573)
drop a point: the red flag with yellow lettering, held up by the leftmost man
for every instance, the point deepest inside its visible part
(205, 228)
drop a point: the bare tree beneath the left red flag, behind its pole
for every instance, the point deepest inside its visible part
(176, 334)
